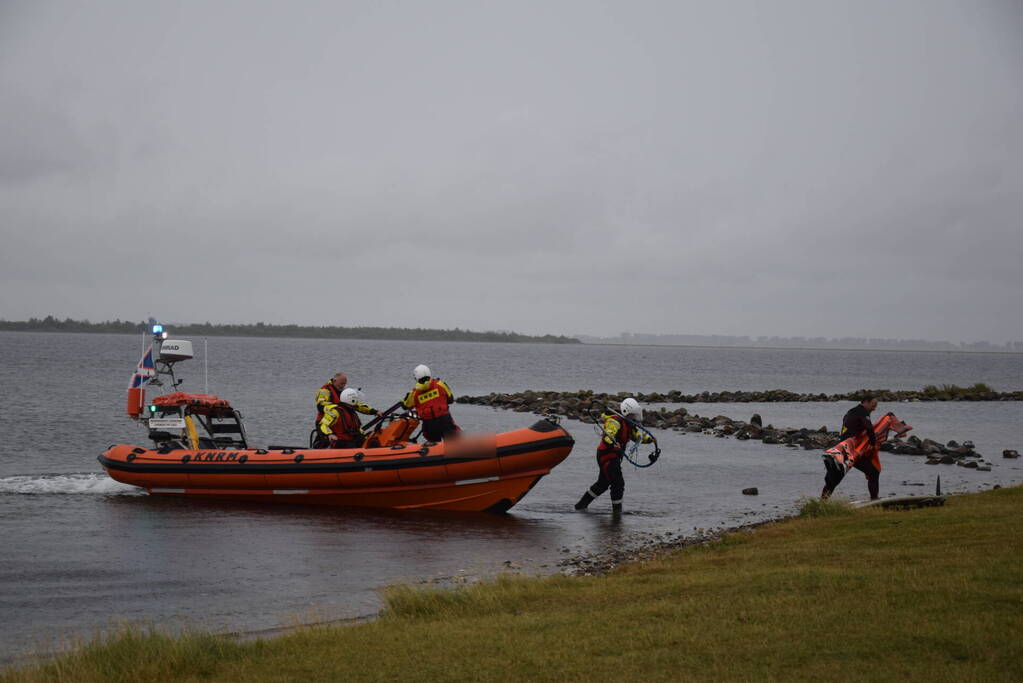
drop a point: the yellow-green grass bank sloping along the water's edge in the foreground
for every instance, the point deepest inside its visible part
(933, 595)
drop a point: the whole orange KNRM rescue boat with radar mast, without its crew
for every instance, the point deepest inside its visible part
(201, 450)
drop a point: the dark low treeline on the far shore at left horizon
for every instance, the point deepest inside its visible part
(52, 325)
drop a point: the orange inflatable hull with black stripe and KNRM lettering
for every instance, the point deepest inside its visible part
(470, 475)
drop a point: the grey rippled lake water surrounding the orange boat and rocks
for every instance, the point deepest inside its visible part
(82, 553)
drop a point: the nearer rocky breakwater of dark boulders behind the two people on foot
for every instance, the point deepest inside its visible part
(585, 405)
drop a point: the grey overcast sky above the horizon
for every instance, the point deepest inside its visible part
(789, 168)
